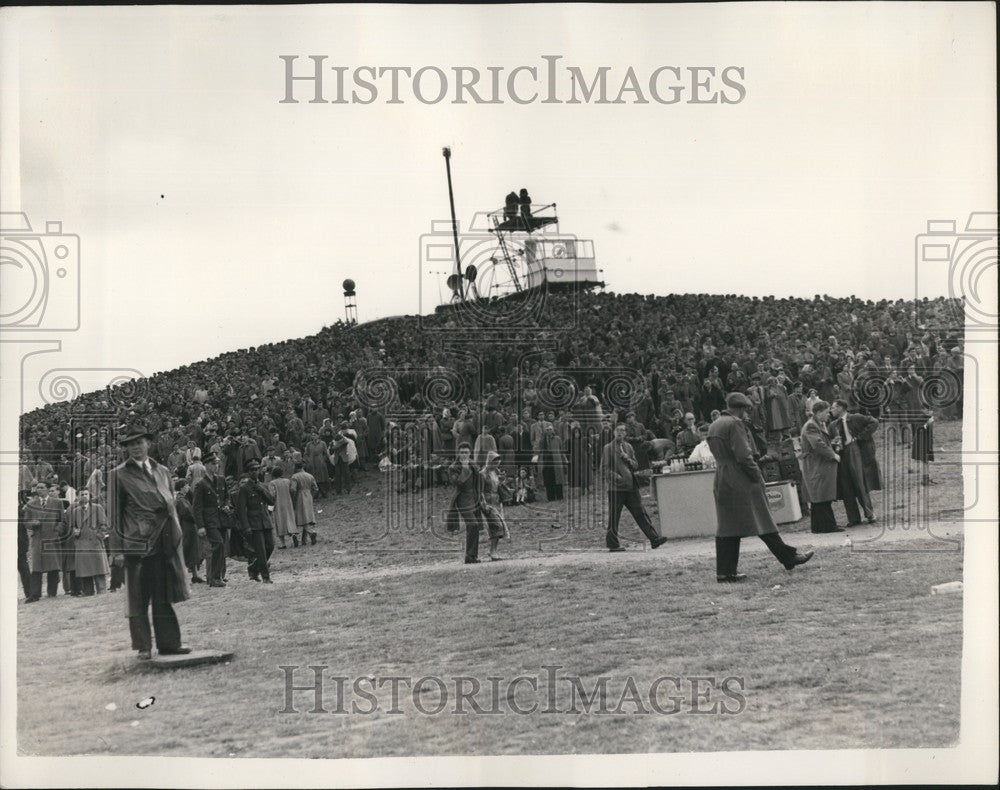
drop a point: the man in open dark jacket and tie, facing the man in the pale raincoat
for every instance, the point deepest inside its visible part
(857, 472)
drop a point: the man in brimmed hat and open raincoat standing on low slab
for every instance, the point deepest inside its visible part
(146, 539)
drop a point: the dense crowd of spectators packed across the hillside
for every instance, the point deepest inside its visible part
(263, 431)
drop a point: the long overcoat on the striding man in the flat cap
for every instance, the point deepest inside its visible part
(740, 495)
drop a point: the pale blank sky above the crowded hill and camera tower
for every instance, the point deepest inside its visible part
(861, 122)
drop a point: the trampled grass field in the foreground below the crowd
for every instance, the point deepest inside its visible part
(850, 650)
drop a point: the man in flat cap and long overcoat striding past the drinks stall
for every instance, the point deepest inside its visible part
(740, 500)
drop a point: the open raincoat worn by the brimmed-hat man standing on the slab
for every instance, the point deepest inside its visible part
(143, 519)
